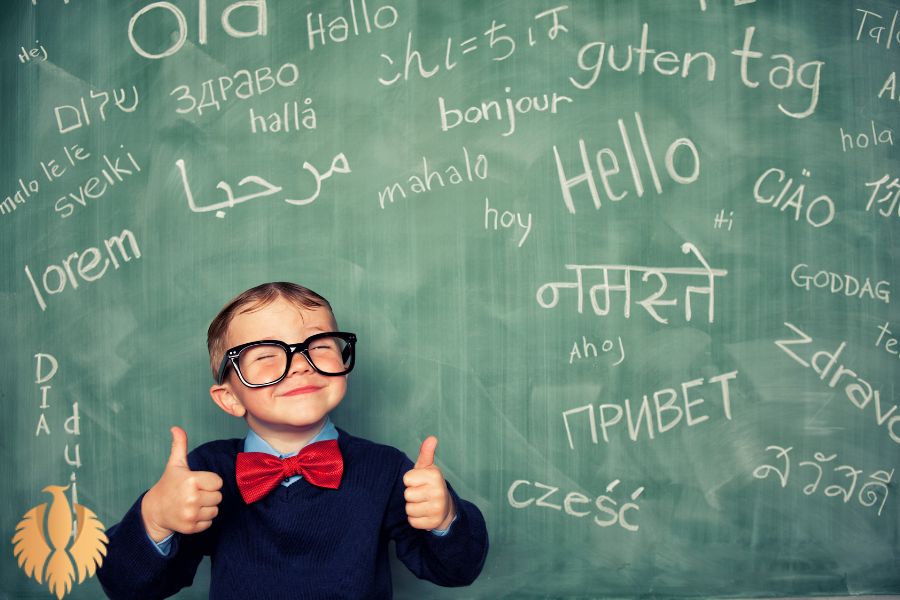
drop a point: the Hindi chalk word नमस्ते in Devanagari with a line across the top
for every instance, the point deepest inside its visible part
(548, 294)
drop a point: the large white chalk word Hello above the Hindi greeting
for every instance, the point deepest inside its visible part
(608, 166)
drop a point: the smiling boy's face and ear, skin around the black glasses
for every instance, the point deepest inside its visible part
(298, 404)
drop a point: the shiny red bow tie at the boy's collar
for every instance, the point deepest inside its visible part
(259, 473)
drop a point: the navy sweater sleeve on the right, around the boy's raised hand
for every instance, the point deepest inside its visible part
(452, 560)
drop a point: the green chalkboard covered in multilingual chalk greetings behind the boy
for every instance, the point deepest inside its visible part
(633, 263)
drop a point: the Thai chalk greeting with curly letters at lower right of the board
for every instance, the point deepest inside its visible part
(848, 477)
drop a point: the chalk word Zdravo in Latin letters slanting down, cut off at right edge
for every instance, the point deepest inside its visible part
(858, 390)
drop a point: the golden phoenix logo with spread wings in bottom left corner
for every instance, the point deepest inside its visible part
(85, 532)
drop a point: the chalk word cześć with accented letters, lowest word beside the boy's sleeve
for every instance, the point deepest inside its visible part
(525, 494)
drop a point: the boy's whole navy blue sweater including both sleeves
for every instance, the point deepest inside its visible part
(300, 541)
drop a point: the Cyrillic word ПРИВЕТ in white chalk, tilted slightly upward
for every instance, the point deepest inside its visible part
(668, 408)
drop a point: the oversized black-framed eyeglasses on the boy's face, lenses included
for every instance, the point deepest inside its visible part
(267, 362)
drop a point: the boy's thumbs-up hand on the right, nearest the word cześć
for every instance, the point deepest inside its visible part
(428, 502)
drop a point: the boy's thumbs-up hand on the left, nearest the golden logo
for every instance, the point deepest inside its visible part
(182, 500)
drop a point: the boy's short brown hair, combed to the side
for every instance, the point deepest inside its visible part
(253, 299)
